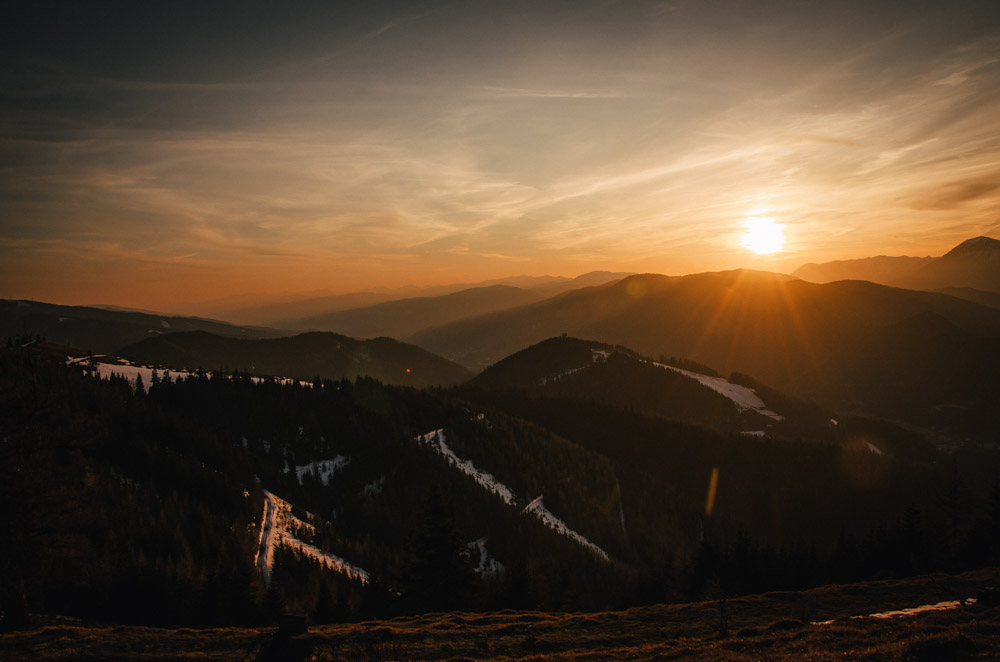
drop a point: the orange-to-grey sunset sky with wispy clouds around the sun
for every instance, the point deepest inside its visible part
(161, 153)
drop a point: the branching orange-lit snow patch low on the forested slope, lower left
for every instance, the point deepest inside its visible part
(279, 526)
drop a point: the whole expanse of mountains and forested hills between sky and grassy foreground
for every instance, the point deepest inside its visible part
(644, 439)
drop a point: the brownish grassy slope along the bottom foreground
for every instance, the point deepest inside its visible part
(772, 626)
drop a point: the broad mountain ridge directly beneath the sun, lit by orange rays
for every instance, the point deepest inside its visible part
(851, 345)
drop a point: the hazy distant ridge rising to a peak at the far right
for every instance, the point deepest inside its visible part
(974, 264)
